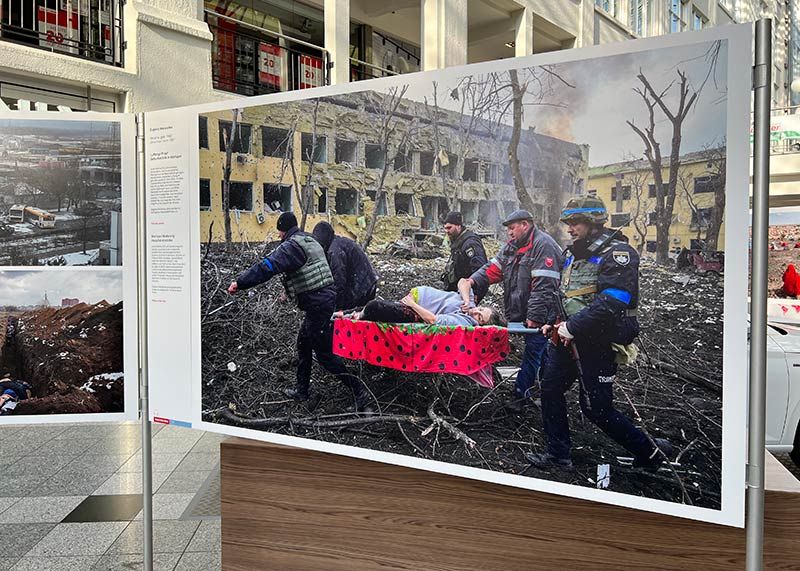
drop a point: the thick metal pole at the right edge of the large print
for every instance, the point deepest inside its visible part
(762, 83)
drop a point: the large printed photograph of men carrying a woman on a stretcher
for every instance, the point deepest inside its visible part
(518, 271)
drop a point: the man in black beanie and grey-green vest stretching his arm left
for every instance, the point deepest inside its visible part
(308, 279)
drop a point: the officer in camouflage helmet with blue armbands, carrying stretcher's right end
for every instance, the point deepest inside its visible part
(600, 292)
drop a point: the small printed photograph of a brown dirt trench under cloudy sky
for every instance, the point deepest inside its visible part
(61, 342)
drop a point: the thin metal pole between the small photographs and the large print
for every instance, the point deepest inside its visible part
(144, 395)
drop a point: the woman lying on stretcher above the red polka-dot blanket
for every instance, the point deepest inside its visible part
(429, 305)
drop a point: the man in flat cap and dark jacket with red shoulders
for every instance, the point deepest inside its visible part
(528, 266)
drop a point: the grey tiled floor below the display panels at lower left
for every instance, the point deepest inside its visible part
(48, 472)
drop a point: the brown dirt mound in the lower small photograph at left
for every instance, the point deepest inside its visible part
(72, 357)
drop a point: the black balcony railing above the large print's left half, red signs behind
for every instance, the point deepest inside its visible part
(250, 60)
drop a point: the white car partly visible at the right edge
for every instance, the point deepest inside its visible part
(783, 389)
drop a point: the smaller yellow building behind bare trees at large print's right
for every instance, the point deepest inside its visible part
(633, 208)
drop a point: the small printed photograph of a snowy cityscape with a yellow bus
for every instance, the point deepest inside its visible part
(60, 193)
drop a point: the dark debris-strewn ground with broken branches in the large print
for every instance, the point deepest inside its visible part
(248, 358)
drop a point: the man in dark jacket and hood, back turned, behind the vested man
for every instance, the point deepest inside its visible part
(354, 277)
